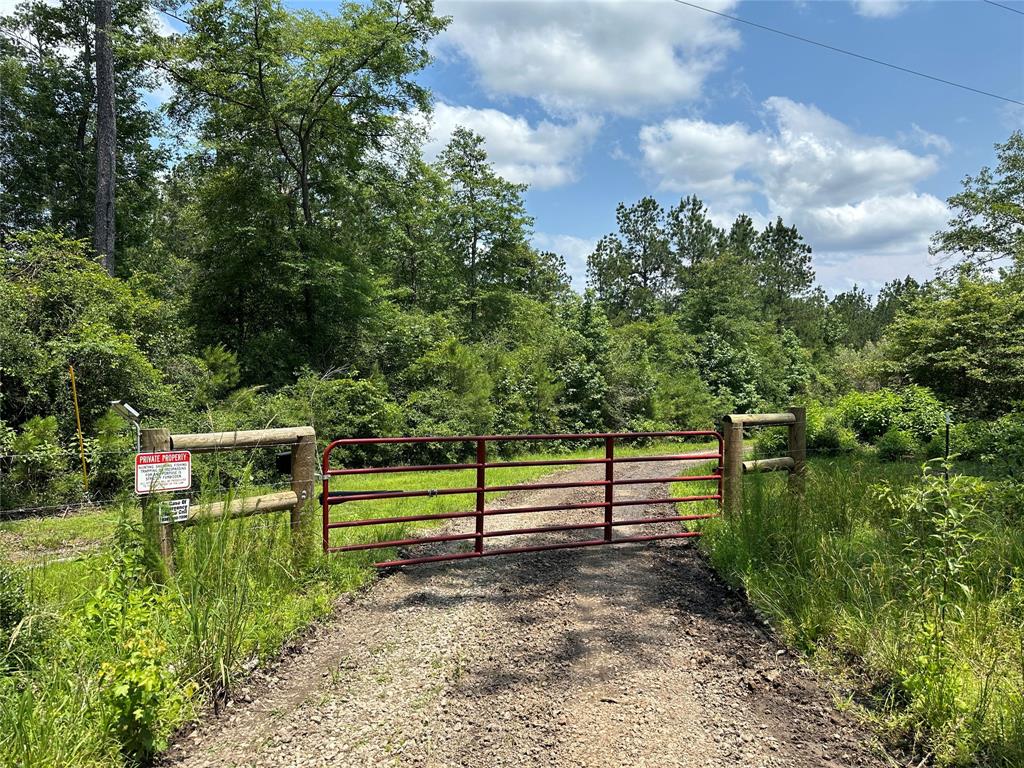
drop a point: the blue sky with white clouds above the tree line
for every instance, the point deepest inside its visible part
(596, 103)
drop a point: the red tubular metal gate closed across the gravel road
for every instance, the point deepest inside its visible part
(481, 490)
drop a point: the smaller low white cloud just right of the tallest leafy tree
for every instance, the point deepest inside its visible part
(544, 155)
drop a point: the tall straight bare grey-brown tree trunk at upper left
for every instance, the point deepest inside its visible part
(107, 139)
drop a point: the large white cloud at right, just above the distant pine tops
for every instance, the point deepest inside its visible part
(854, 197)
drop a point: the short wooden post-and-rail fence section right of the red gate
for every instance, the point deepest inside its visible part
(795, 420)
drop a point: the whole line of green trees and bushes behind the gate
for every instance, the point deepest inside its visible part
(286, 251)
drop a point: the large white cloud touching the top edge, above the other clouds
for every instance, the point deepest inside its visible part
(621, 57)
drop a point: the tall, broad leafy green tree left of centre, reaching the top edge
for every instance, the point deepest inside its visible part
(298, 114)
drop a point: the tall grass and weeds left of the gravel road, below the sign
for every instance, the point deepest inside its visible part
(104, 664)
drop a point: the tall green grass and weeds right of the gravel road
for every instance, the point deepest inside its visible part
(905, 581)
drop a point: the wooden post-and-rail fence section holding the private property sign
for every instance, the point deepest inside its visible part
(304, 472)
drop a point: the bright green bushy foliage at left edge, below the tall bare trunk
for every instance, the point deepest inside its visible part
(62, 309)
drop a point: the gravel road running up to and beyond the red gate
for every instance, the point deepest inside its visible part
(631, 656)
